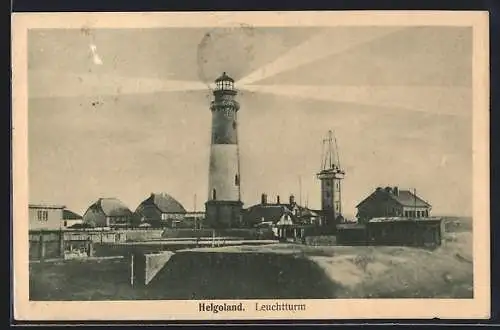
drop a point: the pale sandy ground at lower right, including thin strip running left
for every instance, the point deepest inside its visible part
(366, 271)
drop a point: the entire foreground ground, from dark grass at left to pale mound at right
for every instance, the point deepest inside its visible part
(272, 271)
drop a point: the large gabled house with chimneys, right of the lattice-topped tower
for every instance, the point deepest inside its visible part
(392, 202)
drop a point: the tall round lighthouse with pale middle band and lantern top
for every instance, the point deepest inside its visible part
(223, 207)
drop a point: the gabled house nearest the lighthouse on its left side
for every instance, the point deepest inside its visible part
(160, 210)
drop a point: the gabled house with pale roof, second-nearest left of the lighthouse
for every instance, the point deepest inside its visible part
(108, 212)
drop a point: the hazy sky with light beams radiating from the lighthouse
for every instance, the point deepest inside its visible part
(125, 112)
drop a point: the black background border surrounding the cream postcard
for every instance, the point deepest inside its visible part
(492, 6)
